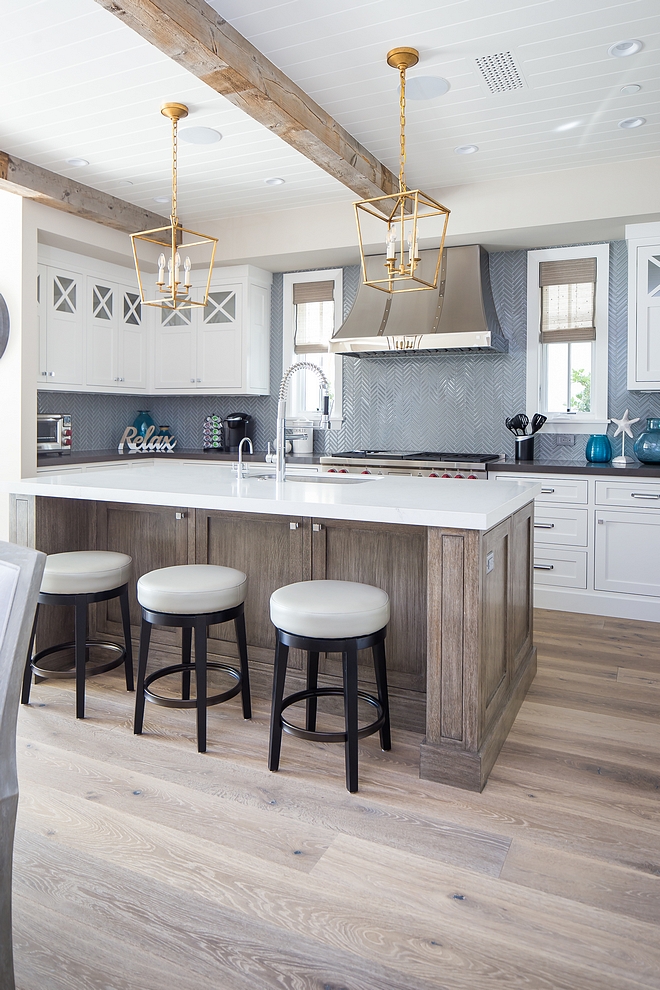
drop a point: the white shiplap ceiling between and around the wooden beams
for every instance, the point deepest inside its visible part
(79, 83)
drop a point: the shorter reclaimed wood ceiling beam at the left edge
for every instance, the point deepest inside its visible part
(55, 190)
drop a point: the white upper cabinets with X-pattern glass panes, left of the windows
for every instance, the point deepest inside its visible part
(95, 335)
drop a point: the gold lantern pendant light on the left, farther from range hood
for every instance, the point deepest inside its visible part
(174, 282)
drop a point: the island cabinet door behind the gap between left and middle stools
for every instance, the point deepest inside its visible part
(154, 536)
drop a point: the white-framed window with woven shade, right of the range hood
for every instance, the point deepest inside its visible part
(567, 311)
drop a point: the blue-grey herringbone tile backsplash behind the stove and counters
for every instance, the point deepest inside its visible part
(409, 402)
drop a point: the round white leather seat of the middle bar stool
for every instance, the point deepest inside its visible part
(192, 589)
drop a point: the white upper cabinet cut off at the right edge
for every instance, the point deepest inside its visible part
(644, 306)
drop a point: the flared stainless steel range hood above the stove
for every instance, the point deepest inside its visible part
(458, 315)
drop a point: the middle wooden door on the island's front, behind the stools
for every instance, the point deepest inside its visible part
(271, 551)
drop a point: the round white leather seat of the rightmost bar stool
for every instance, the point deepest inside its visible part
(329, 609)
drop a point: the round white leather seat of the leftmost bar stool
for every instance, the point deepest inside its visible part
(81, 572)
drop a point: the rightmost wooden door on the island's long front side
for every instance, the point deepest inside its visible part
(393, 558)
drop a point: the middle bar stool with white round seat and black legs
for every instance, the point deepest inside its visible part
(192, 596)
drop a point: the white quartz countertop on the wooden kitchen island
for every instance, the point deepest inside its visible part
(444, 502)
